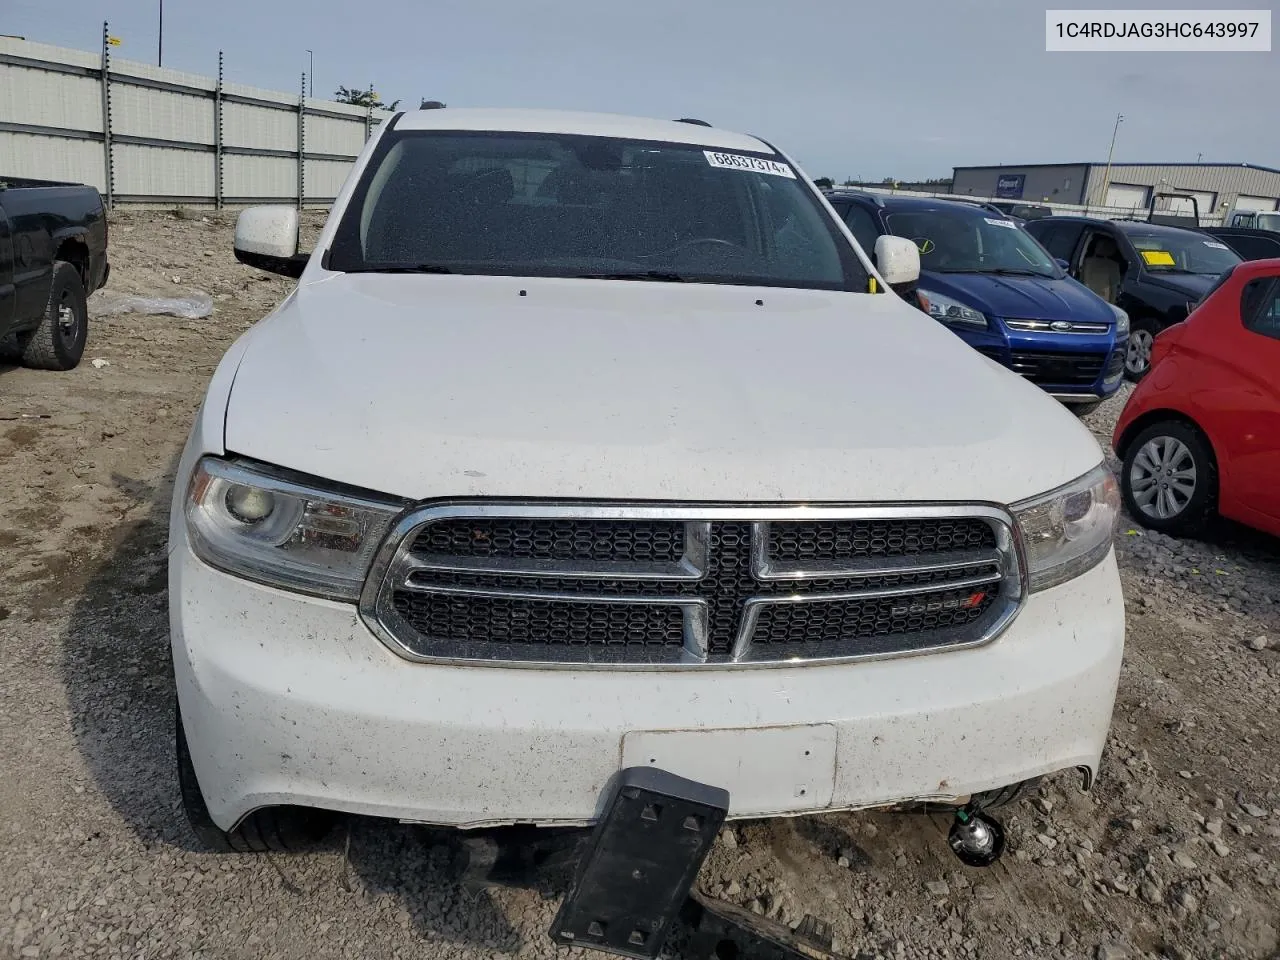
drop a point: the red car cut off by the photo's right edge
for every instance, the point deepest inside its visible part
(1201, 433)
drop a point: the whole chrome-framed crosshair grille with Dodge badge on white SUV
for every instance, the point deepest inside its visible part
(685, 586)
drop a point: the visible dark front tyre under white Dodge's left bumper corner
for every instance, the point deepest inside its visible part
(275, 829)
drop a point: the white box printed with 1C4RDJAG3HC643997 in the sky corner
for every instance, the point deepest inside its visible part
(1162, 31)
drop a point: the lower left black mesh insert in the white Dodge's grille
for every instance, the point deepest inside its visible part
(455, 619)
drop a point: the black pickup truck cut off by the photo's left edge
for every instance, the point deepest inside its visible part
(53, 255)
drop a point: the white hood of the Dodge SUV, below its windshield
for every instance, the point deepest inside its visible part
(428, 387)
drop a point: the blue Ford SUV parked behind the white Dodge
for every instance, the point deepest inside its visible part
(993, 285)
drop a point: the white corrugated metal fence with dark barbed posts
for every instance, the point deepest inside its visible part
(149, 135)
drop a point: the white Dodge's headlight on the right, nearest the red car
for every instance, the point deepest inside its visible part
(1069, 531)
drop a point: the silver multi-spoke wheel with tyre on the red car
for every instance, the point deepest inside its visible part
(1169, 481)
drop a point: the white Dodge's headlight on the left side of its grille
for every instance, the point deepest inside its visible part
(262, 527)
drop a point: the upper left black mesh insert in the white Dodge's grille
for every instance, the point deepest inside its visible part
(601, 541)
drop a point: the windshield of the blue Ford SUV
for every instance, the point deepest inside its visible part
(971, 241)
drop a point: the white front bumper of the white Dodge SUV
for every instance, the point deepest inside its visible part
(292, 701)
